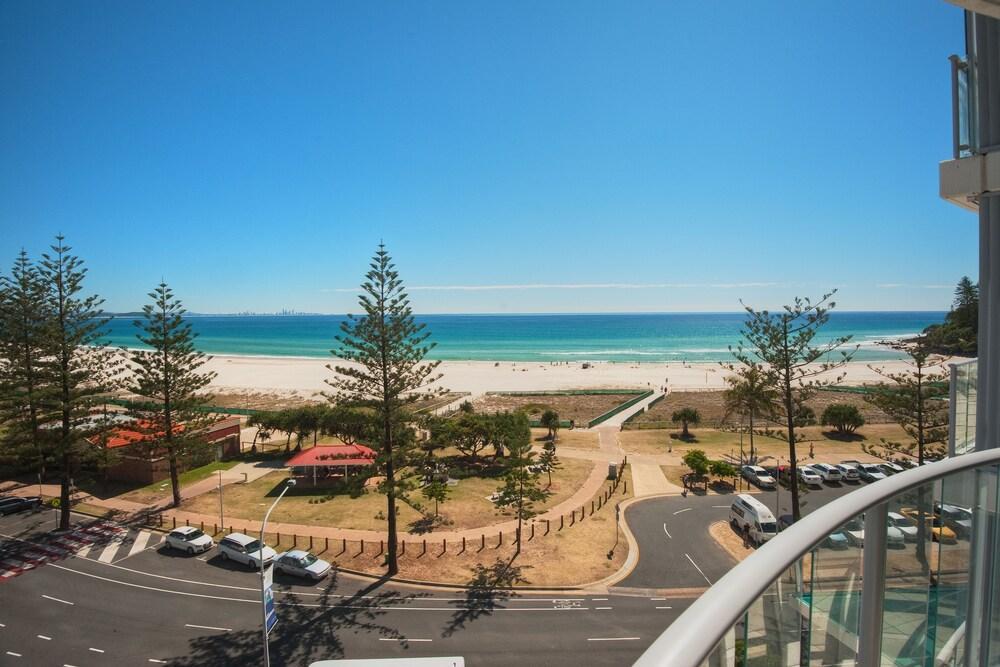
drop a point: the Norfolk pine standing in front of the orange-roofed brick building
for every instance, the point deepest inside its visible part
(168, 374)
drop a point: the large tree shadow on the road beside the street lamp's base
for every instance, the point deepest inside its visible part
(309, 628)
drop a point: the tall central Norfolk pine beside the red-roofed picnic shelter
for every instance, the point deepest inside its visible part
(387, 348)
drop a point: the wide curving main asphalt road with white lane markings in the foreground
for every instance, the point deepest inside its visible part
(145, 605)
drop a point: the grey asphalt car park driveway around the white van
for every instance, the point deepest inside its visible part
(675, 548)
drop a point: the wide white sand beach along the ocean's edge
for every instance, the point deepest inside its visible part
(283, 374)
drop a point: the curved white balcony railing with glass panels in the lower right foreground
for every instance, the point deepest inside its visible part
(921, 562)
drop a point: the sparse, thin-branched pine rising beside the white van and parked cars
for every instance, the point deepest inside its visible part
(781, 344)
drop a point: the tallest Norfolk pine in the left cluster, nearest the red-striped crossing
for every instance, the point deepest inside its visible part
(77, 368)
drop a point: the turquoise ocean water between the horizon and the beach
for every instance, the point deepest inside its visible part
(596, 337)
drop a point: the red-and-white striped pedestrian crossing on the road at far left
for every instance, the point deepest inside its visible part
(101, 541)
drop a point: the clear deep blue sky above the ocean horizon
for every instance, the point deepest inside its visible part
(515, 157)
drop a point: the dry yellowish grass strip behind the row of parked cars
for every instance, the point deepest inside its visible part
(723, 443)
